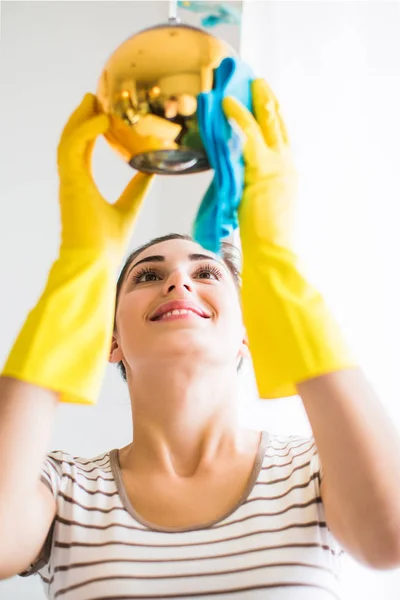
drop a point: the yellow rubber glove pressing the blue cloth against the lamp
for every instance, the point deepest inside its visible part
(292, 335)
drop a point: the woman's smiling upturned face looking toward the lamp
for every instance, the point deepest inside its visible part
(178, 301)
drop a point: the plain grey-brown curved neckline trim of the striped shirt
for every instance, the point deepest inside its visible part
(116, 471)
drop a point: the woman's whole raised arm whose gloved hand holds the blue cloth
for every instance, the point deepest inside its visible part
(297, 347)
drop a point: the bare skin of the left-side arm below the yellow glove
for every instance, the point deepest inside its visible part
(26, 506)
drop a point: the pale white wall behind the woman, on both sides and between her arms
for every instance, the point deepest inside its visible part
(335, 67)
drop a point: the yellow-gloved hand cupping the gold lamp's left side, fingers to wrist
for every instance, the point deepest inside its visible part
(88, 220)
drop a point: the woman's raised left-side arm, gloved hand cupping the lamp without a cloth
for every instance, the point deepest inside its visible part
(61, 352)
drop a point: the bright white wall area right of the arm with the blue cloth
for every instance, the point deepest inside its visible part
(335, 67)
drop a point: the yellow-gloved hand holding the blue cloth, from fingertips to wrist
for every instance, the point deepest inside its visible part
(266, 212)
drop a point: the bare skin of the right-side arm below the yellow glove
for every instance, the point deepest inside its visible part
(360, 454)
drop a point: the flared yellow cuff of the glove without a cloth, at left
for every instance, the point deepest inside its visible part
(65, 341)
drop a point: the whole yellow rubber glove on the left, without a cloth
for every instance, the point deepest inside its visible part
(65, 341)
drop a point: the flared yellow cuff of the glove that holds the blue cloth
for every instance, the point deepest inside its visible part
(292, 333)
